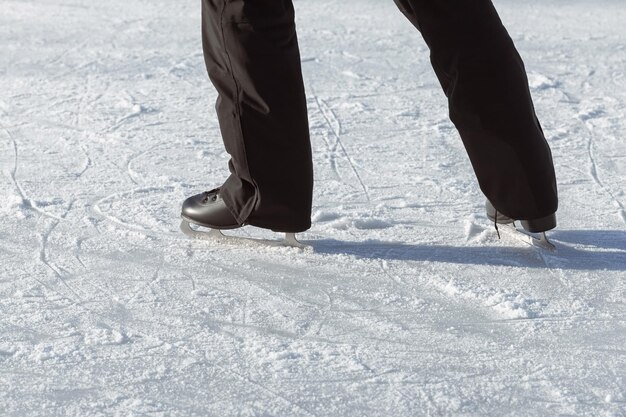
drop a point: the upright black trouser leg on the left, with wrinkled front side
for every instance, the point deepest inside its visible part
(252, 57)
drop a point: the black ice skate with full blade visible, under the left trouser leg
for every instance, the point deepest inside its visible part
(209, 210)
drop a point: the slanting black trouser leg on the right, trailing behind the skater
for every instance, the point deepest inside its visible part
(485, 81)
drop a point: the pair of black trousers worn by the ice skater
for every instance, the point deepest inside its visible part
(252, 57)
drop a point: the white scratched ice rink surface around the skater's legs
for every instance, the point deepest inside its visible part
(406, 305)
